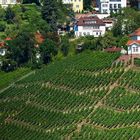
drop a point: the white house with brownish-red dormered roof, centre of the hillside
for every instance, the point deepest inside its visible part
(89, 25)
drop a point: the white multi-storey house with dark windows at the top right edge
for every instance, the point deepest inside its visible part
(108, 6)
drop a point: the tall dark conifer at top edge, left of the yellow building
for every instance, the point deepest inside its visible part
(49, 13)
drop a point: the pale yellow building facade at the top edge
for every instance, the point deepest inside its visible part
(77, 5)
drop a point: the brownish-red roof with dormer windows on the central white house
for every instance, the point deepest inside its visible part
(90, 21)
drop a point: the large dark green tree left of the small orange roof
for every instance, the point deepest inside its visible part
(21, 49)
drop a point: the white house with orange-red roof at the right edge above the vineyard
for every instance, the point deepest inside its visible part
(134, 43)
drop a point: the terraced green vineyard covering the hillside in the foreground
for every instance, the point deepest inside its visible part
(84, 97)
